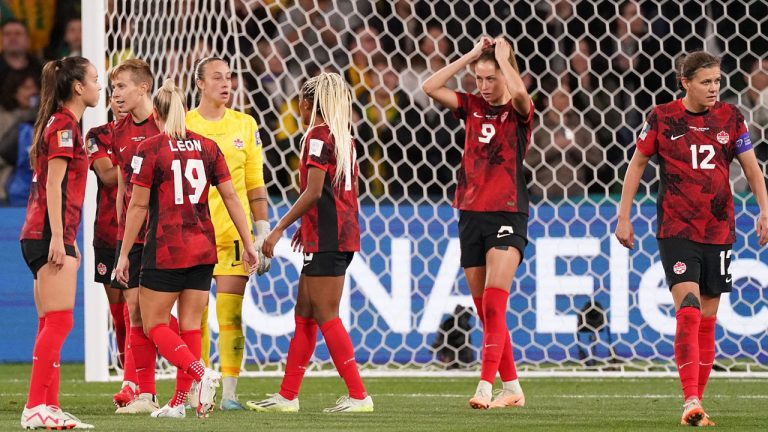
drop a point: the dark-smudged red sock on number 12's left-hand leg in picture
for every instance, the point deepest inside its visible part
(687, 350)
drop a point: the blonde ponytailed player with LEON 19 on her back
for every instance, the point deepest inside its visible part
(171, 174)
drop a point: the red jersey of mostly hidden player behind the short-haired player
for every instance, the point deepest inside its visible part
(99, 144)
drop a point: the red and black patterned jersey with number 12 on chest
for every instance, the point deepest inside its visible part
(695, 151)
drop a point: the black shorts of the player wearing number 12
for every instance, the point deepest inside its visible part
(705, 264)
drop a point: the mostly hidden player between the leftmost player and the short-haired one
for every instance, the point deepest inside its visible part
(99, 144)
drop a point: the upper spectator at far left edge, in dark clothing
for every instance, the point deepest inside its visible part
(15, 51)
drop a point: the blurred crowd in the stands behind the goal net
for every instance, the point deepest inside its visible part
(594, 70)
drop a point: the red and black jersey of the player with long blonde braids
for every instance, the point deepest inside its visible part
(332, 225)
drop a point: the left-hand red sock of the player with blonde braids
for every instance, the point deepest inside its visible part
(299, 353)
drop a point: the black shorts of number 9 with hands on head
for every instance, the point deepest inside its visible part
(479, 232)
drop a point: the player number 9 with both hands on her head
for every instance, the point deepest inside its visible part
(492, 199)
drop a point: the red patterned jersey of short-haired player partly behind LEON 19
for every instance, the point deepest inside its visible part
(126, 138)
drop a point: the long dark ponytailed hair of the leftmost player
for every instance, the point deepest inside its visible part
(58, 78)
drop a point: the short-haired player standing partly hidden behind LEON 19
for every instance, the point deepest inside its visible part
(131, 90)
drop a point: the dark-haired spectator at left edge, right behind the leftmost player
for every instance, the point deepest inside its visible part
(18, 105)
